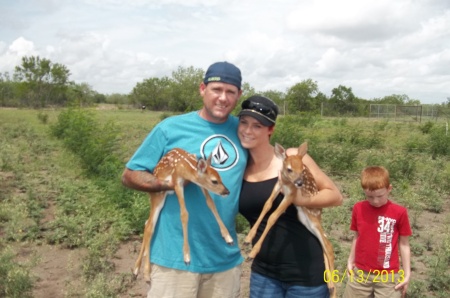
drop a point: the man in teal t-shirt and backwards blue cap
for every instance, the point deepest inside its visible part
(215, 267)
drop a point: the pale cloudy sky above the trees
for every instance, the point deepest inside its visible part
(377, 48)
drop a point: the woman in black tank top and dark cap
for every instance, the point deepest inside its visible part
(290, 263)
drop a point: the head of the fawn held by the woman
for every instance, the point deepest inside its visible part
(294, 171)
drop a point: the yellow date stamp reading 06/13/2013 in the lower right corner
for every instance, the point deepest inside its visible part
(360, 276)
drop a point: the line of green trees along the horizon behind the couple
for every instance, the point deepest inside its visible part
(39, 83)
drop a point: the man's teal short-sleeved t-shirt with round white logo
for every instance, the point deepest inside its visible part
(209, 251)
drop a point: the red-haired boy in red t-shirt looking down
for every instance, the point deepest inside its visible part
(381, 229)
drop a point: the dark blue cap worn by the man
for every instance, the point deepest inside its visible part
(223, 72)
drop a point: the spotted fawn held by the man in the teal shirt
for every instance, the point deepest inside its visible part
(179, 167)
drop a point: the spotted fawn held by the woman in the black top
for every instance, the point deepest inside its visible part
(295, 175)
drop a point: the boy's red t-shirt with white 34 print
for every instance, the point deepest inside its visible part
(378, 232)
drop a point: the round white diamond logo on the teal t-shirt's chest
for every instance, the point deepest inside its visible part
(224, 152)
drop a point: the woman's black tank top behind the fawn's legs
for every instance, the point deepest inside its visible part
(290, 253)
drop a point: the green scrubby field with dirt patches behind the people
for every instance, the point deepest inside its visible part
(69, 229)
